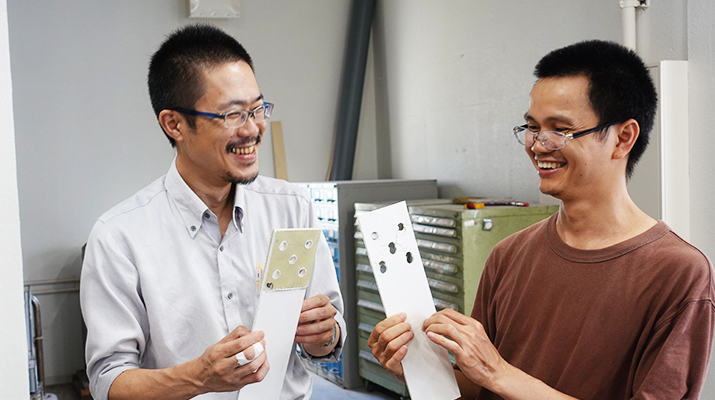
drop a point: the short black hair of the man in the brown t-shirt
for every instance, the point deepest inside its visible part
(620, 85)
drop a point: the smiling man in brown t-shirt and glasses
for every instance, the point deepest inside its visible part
(600, 301)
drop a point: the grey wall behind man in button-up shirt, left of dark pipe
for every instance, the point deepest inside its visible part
(87, 137)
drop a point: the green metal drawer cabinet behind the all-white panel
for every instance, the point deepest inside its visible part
(454, 245)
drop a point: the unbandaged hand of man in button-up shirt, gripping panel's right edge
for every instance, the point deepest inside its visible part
(316, 324)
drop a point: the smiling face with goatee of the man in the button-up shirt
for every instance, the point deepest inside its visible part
(212, 153)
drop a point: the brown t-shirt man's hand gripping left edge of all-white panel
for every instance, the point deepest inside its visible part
(388, 342)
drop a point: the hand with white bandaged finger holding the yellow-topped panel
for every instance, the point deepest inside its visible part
(218, 367)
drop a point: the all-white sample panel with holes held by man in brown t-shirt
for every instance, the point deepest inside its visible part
(401, 280)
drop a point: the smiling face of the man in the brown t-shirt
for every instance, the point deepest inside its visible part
(582, 167)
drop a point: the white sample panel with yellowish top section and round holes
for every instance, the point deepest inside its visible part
(291, 257)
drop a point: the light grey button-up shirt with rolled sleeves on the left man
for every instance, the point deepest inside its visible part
(160, 285)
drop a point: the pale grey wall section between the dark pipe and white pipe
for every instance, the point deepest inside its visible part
(452, 80)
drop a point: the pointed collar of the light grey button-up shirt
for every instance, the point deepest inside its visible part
(191, 207)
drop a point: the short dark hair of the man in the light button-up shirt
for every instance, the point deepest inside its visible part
(176, 69)
